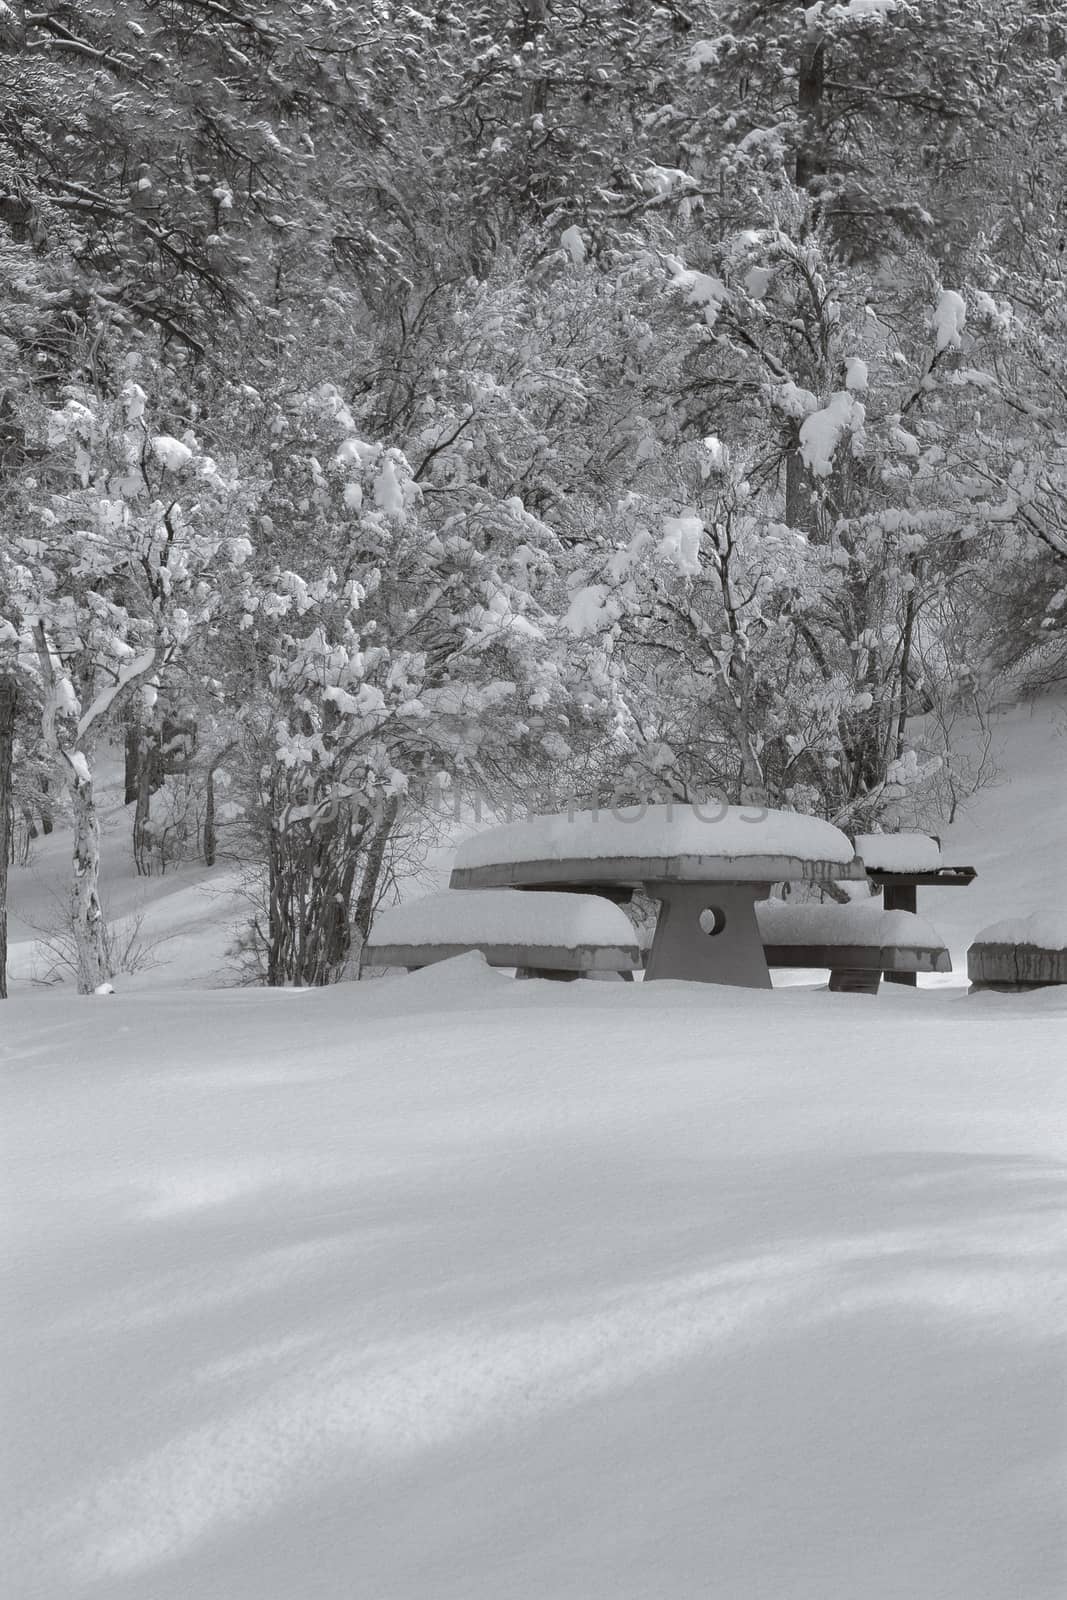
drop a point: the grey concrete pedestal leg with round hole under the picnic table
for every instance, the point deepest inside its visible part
(721, 948)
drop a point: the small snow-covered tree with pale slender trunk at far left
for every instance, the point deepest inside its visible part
(121, 556)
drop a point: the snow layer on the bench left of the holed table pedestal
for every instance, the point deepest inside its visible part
(505, 918)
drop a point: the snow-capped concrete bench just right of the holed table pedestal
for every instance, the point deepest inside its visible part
(858, 943)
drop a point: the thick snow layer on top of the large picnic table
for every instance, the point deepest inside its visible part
(658, 831)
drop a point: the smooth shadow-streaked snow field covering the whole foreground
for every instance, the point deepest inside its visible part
(458, 1289)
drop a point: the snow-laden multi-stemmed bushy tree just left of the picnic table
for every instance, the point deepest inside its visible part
(402, 649)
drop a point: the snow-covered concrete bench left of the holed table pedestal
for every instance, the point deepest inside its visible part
(543, 935)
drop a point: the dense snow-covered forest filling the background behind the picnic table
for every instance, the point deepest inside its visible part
(518, 402)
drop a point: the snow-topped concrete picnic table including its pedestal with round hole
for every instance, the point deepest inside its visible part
(706, 865)
